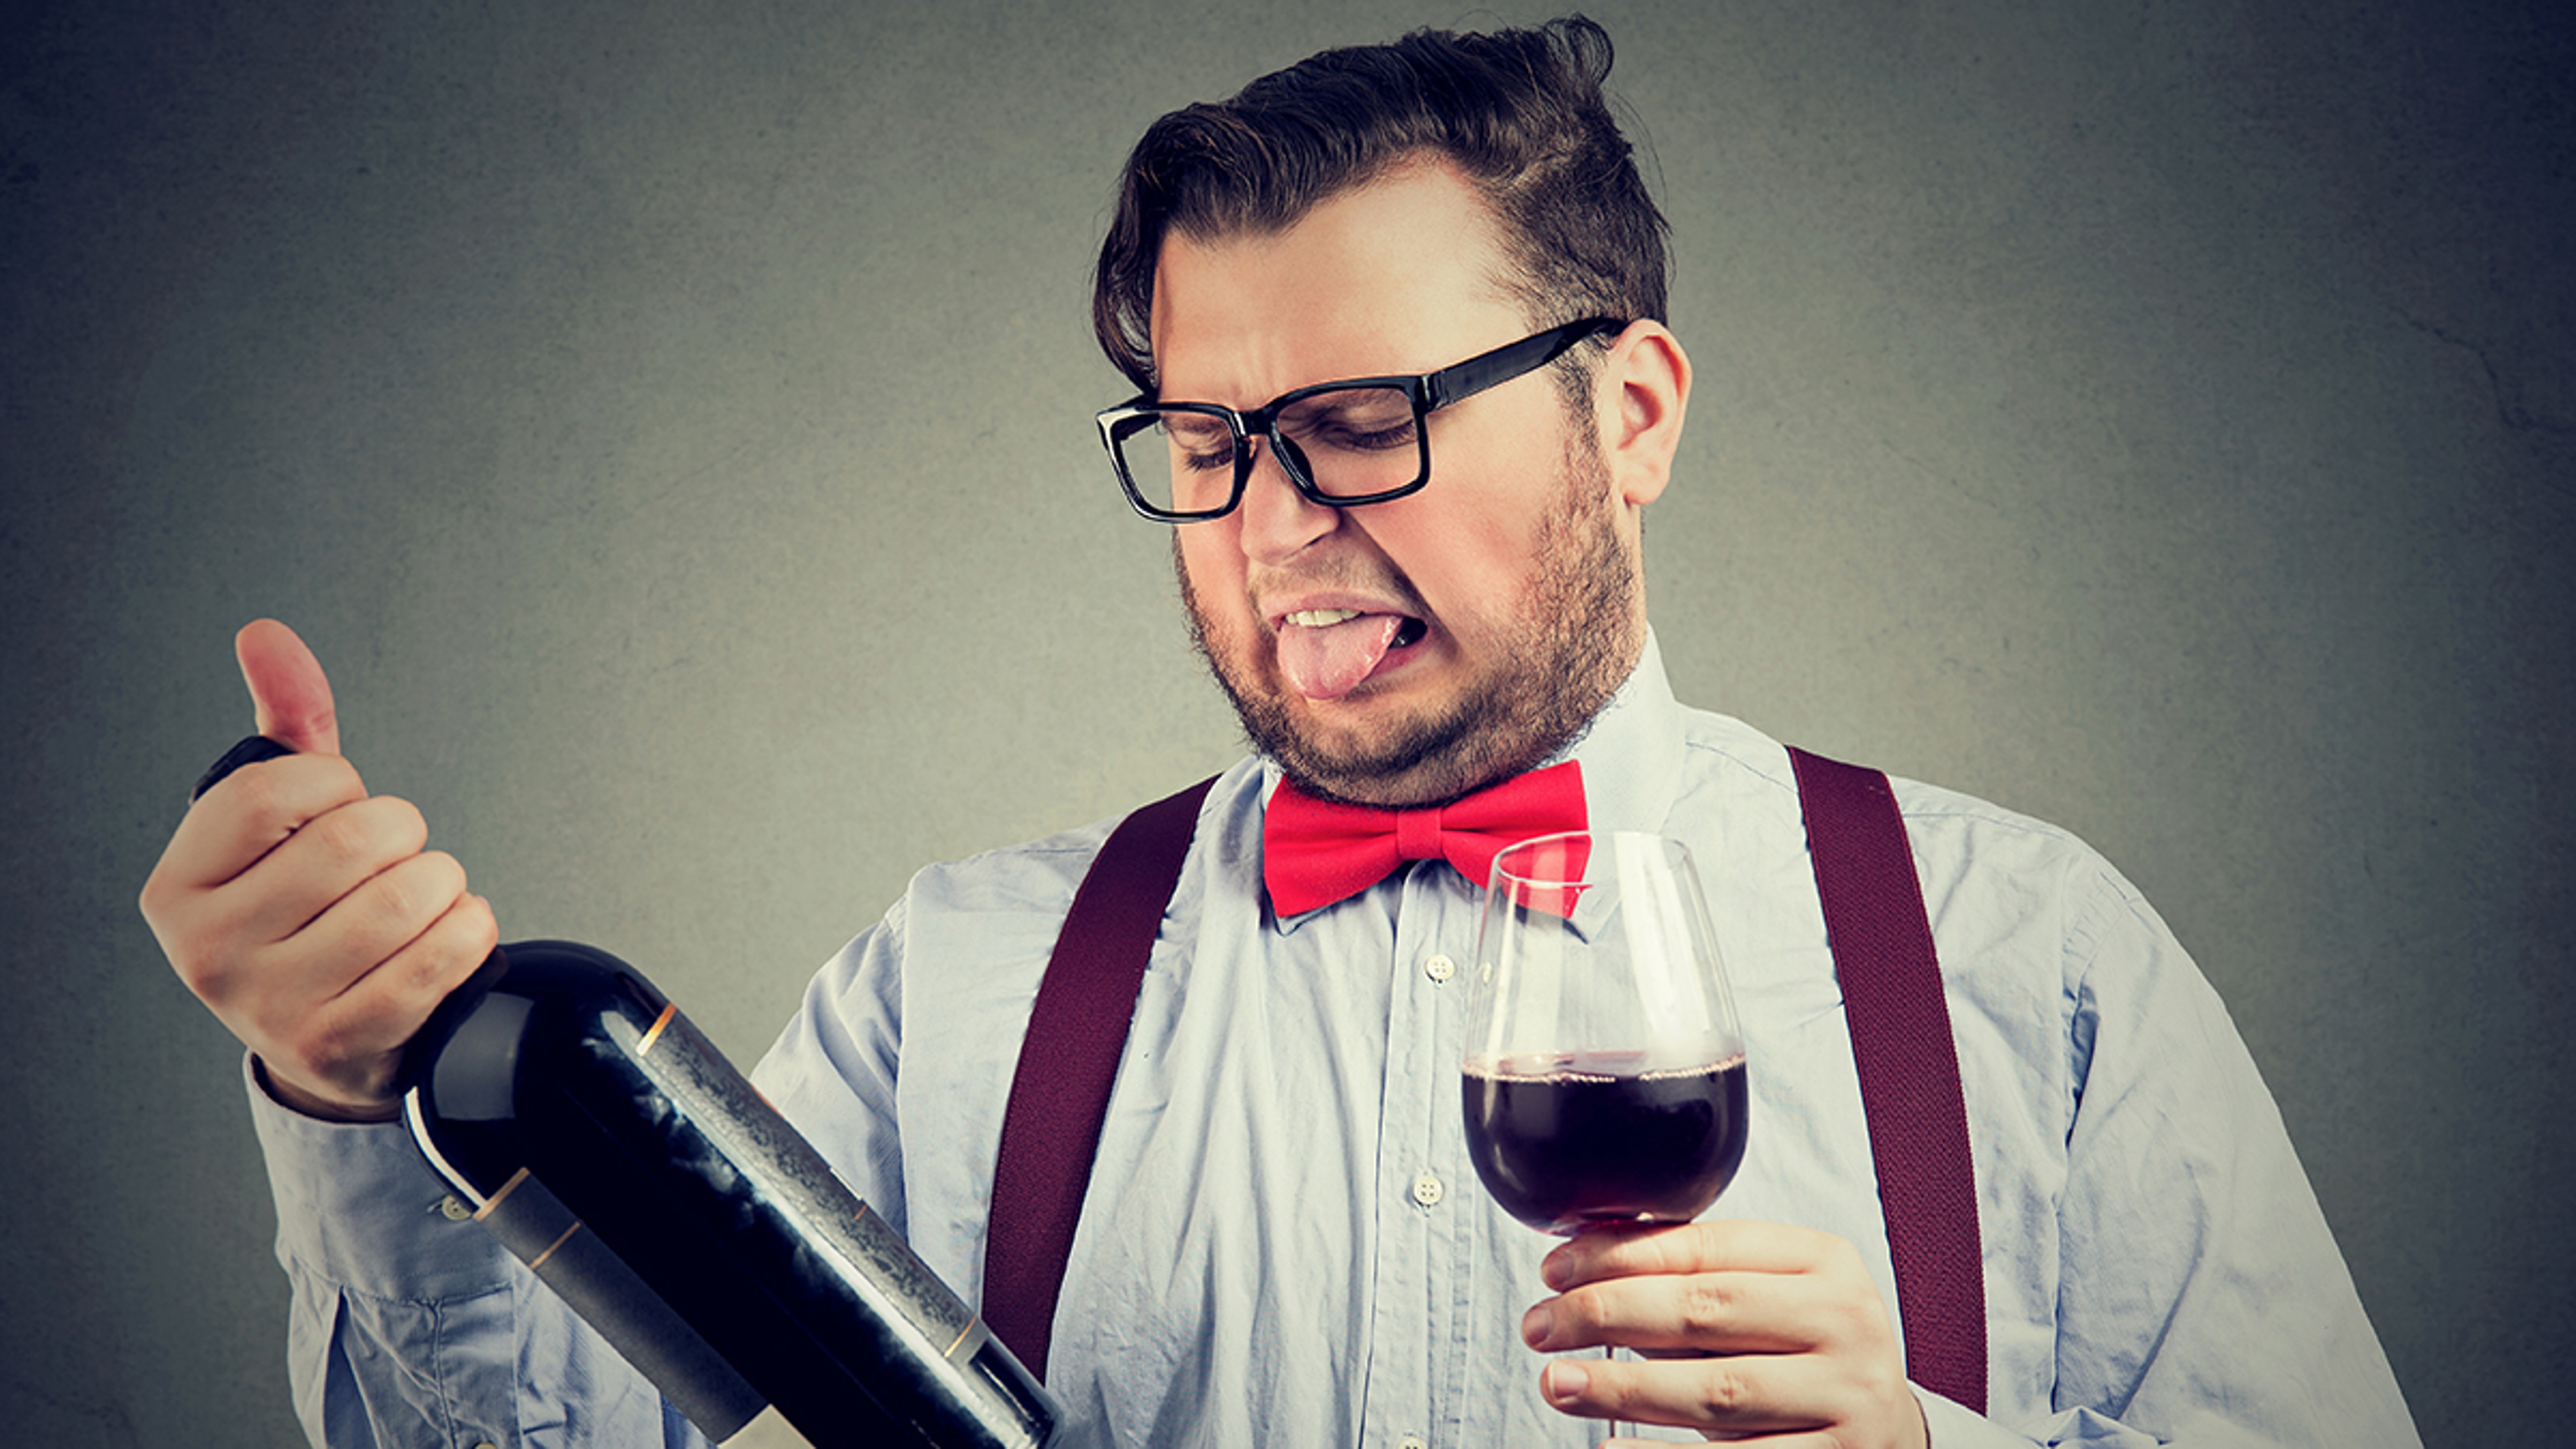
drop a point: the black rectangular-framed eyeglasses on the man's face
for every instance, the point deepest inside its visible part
(1338, 442)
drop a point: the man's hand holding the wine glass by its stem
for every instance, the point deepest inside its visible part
(1756, 1332)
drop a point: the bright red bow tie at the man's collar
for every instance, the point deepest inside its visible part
(1318, 852)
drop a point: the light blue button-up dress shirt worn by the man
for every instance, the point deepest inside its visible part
(1284, 1239)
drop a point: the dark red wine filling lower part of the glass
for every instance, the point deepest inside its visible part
(1575, 1141)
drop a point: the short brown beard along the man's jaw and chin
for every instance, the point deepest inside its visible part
(1539, 692)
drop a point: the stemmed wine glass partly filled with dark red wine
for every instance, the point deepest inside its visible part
(1604, 1064)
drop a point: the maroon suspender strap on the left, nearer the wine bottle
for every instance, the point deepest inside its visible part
(1068, 1064)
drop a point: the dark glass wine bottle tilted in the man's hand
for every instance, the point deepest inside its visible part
(614, 1151)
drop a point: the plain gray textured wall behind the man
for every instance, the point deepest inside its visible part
(674, 432)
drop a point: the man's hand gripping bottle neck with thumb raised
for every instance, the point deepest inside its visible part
(305, 911)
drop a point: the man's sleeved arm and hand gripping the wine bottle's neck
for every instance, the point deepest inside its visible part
(321, 929)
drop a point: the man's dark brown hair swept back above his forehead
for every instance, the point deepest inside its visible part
(1521, 115)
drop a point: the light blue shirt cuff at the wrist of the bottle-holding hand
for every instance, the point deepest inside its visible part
(359, 1208)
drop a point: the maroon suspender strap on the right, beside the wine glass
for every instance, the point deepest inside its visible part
(1892, 999)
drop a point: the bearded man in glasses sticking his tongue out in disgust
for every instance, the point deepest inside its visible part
(1410, 592)
